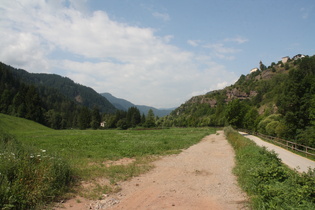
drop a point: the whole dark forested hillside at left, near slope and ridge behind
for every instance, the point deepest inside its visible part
(26, 95)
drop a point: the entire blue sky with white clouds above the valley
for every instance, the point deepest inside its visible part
(157, 53)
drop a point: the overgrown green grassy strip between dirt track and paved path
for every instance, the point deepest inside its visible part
(270, 184)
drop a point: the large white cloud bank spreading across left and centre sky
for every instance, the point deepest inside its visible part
(128, 61)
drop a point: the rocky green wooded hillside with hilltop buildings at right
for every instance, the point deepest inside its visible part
(277, 100)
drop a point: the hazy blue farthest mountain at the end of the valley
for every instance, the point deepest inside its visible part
(123, 104)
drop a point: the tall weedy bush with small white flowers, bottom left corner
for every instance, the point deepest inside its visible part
(29, 178)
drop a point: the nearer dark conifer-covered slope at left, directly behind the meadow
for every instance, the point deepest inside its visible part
(34, 101)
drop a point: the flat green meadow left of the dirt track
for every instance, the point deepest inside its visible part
(87, 151)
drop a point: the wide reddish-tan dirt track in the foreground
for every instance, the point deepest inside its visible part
(198, 178)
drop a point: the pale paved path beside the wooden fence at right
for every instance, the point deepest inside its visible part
(294, 161)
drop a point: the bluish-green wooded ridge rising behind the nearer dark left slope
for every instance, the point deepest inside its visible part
(81, 94)
